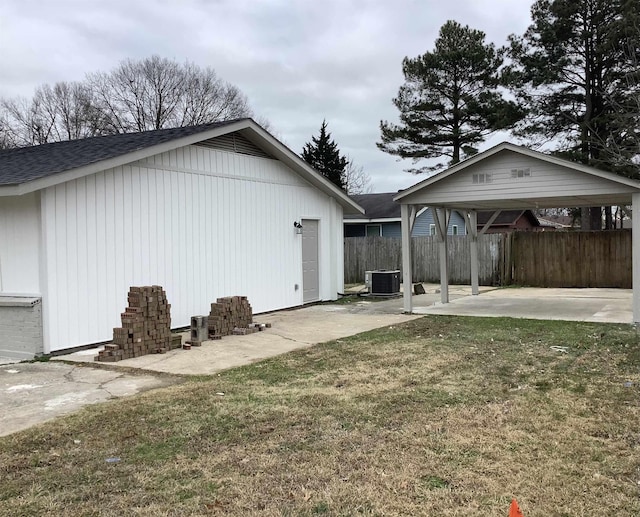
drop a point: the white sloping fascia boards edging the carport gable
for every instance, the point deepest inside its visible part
(520, 150)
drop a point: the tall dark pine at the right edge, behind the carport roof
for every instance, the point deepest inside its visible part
(572, 70)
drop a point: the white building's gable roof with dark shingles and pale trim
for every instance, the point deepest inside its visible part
(28, 169)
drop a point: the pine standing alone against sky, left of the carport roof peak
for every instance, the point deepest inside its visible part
(450, 100)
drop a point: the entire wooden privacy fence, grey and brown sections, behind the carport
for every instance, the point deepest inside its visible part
(537, 259)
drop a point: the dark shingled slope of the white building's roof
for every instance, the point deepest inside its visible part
(25, 164)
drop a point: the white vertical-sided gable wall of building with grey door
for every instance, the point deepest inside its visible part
(202, 223)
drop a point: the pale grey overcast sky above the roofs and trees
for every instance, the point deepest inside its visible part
(298, 61)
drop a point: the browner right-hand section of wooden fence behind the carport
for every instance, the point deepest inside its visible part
(570, 259)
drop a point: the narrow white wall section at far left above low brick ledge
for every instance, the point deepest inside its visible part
(20, 245)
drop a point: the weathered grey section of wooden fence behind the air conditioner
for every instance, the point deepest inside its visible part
(369, 253)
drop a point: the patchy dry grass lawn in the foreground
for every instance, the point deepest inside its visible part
(439, 416)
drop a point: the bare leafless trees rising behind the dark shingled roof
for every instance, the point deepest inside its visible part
(154, 93)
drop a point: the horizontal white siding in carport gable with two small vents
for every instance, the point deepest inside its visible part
(545, 179)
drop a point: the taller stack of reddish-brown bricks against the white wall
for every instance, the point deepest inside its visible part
(146, 326)
